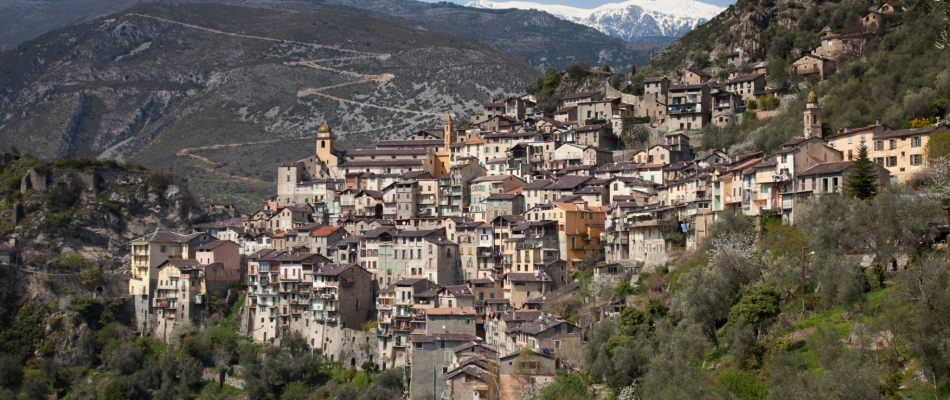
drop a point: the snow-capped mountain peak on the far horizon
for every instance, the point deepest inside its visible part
(630, 20)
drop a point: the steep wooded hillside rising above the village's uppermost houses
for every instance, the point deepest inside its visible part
(899, 77)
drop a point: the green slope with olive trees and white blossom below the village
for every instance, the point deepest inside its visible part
(727, 322)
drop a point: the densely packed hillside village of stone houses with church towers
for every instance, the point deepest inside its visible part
(442, 251)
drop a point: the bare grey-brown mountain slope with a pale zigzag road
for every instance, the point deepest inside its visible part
(149, 82)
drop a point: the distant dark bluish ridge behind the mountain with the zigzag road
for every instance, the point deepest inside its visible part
(536, 37)
